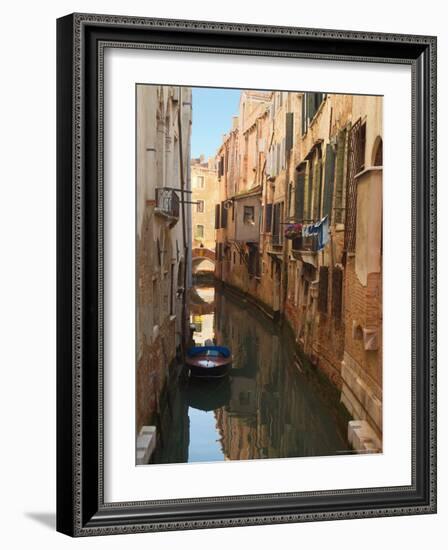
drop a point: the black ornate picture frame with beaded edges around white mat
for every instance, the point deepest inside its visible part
(81, 509)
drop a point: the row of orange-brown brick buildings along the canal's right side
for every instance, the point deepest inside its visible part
(309, 167)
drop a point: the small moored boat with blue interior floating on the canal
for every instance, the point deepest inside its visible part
(208, 361)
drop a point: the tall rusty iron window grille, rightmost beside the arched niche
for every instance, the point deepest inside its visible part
(356, 160)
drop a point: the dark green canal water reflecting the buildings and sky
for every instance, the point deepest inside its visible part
(273, 404)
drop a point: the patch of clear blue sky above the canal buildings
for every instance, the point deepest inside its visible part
(213, 109)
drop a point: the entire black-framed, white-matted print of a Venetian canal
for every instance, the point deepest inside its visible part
(246, 274)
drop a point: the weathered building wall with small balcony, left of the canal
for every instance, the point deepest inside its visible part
(163, 247)
